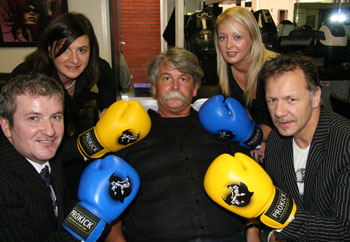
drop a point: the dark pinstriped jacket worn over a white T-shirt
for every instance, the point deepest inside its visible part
(324, 212)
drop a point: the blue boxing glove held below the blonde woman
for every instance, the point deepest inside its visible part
(228, 119)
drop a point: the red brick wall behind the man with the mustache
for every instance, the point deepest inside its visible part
(141, 33)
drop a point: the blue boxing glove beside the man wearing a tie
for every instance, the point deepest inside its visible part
(106, 188)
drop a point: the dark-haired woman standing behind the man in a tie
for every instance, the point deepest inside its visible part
(68, 51)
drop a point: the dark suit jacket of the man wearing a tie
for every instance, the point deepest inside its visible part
(26, 212)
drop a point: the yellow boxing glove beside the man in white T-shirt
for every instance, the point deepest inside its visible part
(240, 184)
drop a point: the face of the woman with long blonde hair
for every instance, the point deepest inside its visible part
(234, 42)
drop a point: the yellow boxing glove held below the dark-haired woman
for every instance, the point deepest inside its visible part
(123, 123)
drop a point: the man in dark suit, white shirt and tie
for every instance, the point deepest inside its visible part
(31, 118)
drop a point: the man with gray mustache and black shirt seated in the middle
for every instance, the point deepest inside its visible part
(172, 160)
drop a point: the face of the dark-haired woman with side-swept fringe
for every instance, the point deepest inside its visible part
(73, 61)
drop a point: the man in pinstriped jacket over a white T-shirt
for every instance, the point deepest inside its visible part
(308, 154)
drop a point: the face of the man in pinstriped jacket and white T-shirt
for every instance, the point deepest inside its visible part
(293, 108)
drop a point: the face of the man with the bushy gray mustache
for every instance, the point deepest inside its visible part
(174, 91)
